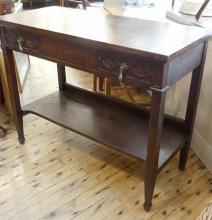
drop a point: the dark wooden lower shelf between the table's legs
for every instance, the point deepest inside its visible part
(121, 127)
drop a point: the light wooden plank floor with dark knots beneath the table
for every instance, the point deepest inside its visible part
(60, 175)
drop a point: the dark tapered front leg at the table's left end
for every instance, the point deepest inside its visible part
(14, 94)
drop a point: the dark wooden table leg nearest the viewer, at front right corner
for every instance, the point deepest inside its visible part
(153, 145)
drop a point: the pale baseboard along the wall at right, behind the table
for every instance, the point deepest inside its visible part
(203, 149)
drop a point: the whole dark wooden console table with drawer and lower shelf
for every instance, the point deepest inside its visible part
(148, 54)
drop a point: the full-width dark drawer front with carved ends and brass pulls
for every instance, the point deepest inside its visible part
(83, 57)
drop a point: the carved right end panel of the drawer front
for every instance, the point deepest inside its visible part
(134, 68)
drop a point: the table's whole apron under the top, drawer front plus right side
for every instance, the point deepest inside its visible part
(105, 62)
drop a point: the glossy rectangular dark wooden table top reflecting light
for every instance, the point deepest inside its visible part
(151, 39)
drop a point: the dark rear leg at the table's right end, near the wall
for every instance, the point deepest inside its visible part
(194, 92)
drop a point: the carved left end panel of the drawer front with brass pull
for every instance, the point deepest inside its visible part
(22, 41)
